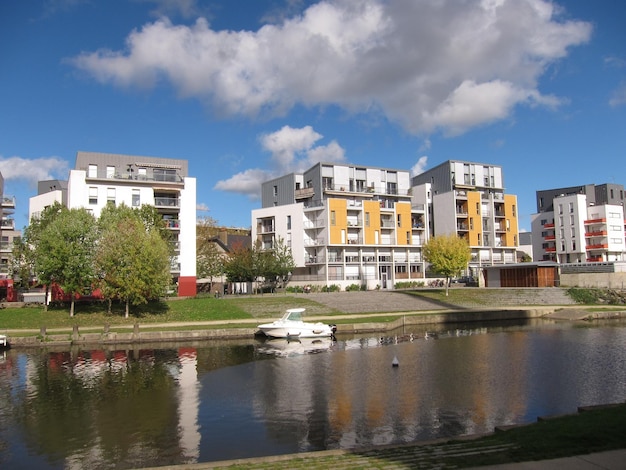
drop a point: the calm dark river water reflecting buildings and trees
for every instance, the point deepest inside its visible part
(150, 405)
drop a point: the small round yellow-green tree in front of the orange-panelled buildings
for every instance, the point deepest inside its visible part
(448, 255)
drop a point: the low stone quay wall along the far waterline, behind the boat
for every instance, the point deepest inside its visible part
(375, 323)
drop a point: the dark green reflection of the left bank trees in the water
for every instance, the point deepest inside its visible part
(122, 406)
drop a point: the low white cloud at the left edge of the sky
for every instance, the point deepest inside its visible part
(33, 170)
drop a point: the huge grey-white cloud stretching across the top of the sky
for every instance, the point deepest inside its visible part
(430, 65)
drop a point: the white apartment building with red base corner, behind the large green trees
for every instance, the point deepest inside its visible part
(99, 179)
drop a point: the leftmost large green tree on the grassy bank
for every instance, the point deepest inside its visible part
(64, 252)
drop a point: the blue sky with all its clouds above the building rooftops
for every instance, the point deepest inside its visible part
(248, 90)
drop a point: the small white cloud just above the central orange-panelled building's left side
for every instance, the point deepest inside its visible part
(292, 150)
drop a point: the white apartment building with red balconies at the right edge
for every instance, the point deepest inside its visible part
(580, 224)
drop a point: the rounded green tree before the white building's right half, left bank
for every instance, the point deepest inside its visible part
(133, 261)
